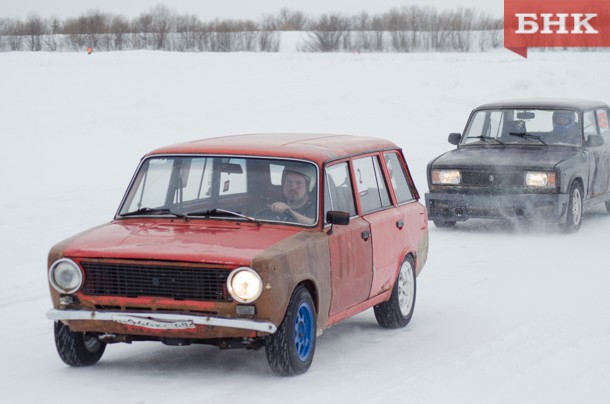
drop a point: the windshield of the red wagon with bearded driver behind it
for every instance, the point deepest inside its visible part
(238, 188)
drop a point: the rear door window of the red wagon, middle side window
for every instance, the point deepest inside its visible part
(370, 184)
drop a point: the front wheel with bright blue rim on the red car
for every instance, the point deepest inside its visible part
(291, 348)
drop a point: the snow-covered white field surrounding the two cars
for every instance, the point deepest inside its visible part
(505, 314)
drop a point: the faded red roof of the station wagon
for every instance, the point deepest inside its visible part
(316, 147)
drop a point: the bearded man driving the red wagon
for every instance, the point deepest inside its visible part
(298, 183)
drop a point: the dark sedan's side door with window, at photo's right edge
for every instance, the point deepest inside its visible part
(595, 123)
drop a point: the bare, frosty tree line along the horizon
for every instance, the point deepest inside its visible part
(406, 29)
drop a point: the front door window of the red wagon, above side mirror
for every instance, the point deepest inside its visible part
(338, 193)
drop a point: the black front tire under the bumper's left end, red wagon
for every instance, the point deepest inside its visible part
(77, 348)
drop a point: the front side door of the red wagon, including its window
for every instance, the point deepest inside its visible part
(351, 251)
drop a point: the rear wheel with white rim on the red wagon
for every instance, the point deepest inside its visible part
(397, 312)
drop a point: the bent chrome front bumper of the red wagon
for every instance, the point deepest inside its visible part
(160, 321)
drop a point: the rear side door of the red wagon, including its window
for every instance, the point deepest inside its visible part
(385, 221)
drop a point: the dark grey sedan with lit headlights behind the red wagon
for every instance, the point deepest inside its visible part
(544, 160)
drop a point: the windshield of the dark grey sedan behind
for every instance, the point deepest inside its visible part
(524, 126)
